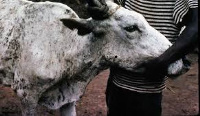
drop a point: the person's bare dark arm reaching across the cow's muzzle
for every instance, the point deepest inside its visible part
(186, 42)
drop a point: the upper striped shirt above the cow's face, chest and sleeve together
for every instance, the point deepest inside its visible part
(164, 12)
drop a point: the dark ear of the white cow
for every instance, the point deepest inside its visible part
(82, 25)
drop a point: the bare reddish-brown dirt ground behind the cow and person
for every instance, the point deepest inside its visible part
(179, 98)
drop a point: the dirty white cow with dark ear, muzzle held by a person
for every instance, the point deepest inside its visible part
(48, 54)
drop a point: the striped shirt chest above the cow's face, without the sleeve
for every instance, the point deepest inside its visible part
(158, 13)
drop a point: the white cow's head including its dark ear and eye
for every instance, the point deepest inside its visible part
(124, 39)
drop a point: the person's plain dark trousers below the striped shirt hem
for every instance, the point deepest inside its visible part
(122, 102)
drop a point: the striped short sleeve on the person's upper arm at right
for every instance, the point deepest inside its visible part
(181, 8)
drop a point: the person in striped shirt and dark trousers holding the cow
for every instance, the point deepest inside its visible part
(140, 93)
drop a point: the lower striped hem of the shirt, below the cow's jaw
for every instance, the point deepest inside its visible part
(135, 81)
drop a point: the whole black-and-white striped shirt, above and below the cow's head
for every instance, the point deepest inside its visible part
(165, 16)
